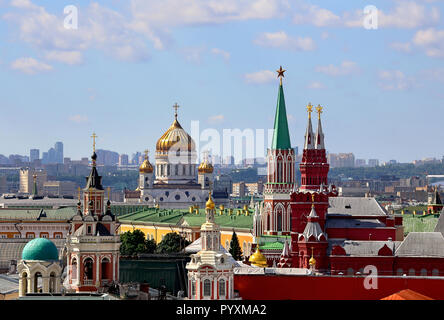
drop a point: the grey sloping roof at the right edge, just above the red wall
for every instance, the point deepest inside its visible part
(422, 244)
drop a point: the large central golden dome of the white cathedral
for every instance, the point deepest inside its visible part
(175, 136)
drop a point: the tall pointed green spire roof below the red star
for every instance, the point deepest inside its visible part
(281, 135)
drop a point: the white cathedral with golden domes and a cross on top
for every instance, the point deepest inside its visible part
(175, 181)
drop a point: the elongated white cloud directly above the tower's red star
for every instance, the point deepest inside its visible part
(282, 40)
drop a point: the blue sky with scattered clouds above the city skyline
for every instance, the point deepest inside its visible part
(120, 69)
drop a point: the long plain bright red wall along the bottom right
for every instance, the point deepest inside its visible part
(272, 287)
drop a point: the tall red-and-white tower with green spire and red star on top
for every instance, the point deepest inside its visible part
(280, 173)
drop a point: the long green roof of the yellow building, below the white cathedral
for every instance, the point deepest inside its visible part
(177, 216)
